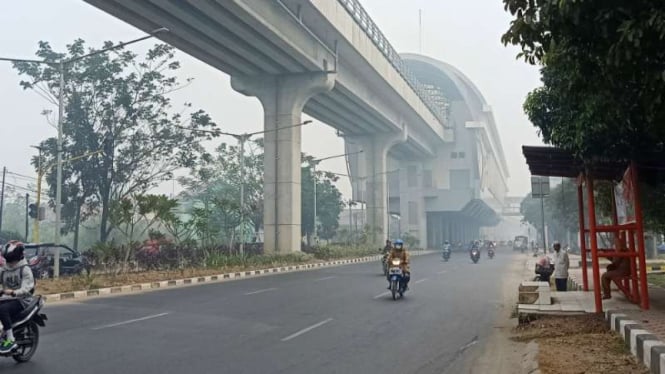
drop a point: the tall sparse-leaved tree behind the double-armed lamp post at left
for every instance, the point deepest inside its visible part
(118, 104)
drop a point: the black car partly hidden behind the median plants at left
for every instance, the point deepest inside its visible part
(40, 258)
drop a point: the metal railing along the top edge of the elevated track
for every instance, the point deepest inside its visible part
(380, 41)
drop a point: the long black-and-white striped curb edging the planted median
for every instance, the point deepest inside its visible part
(224, 277)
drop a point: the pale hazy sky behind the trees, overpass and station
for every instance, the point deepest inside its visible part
(465, 34)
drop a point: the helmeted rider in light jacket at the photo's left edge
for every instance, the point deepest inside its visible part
(17, 285)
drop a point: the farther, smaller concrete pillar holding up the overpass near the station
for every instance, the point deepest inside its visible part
(375, 149)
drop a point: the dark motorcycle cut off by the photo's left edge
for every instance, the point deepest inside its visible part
(26, 331)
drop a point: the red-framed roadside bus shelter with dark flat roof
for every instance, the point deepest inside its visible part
(627, 227)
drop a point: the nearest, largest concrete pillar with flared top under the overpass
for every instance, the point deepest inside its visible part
(283, 98)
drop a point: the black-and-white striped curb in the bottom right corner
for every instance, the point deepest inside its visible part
(642, 344)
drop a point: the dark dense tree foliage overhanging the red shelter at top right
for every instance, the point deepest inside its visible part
(603, 80)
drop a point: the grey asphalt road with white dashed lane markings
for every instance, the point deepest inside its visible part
(335, 320)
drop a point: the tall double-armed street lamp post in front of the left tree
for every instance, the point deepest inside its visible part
(61, 89)
